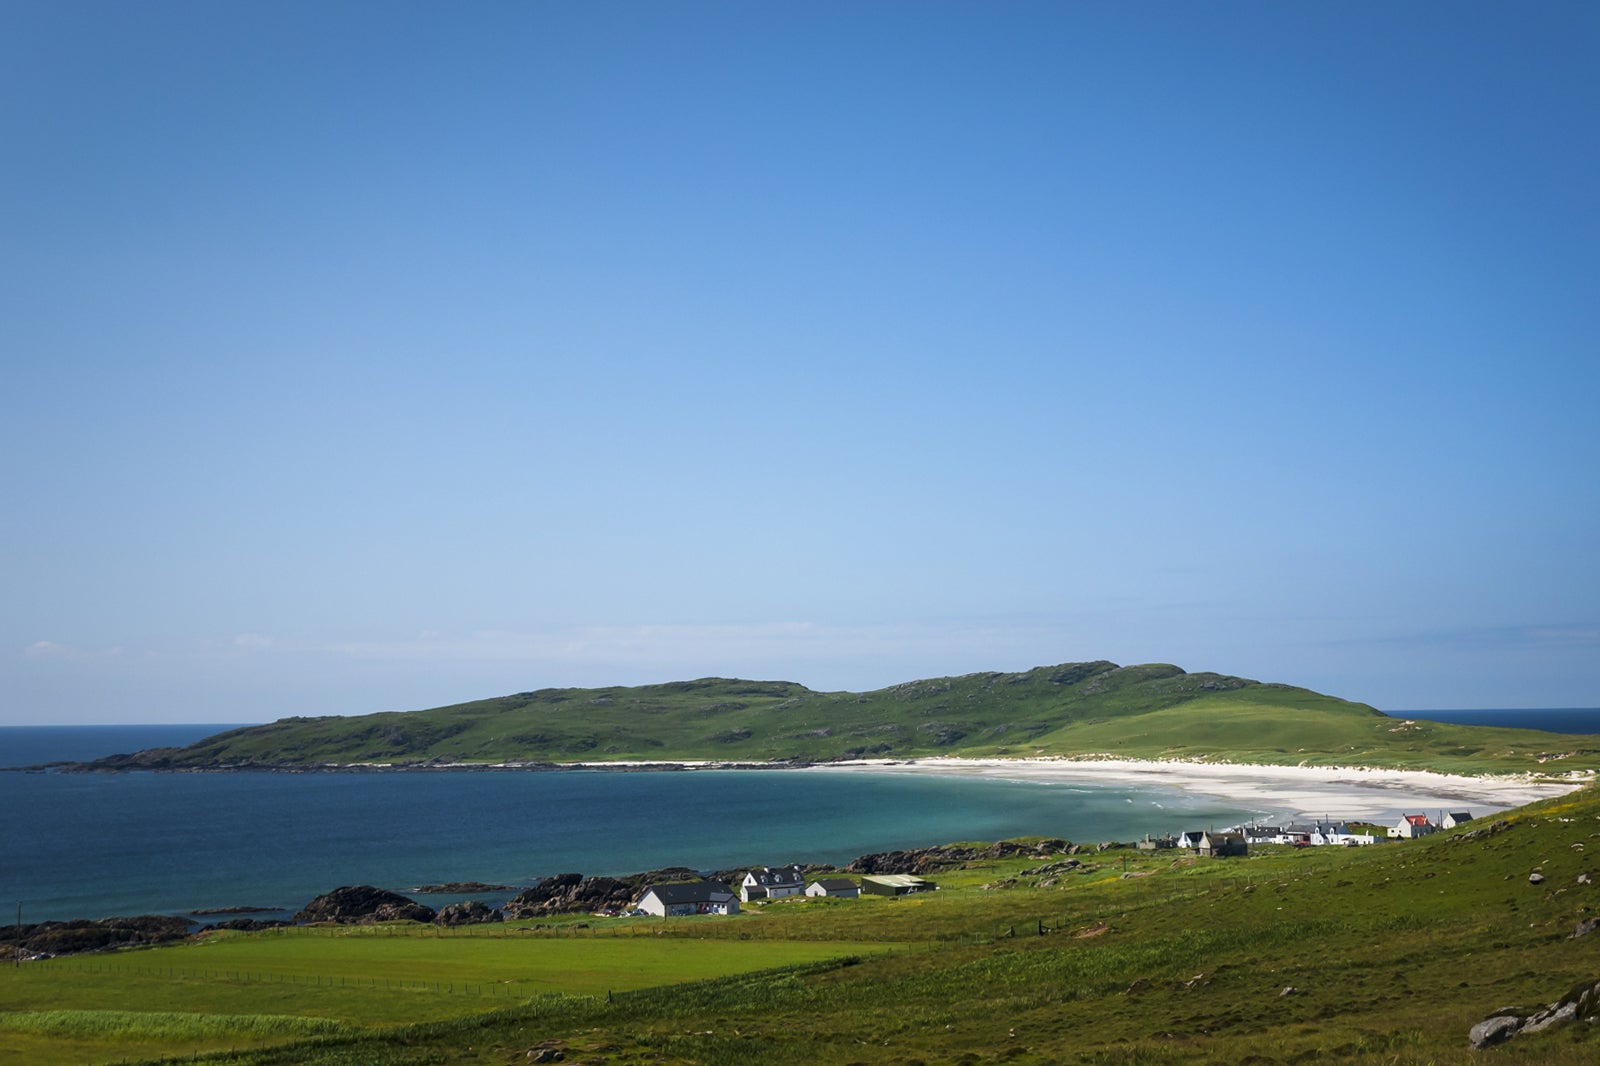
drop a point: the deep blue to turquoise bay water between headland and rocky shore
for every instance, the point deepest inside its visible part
(92, 846)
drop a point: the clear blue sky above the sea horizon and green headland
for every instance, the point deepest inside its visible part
(383, 356)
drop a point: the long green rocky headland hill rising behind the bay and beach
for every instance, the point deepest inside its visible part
(1076, 708)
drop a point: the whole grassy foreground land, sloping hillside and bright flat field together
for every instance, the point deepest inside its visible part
(1385, 955)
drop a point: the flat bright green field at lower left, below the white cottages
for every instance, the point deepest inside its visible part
(242, 990)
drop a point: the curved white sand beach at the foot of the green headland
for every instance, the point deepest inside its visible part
(1345, 793)
